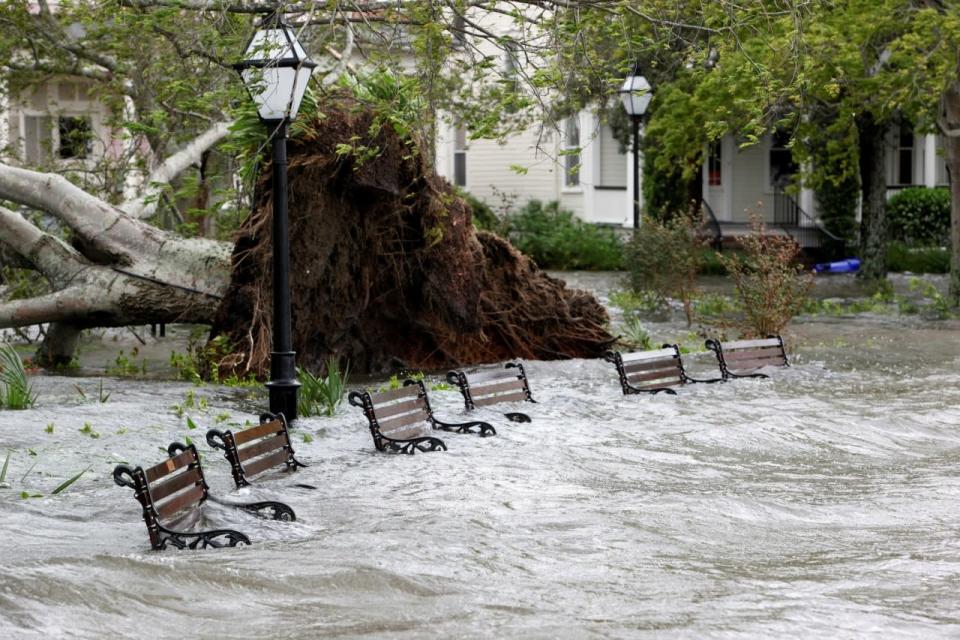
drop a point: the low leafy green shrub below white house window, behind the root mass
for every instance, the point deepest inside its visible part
(556, 239)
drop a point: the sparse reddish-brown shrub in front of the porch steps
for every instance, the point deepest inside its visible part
(771, 285)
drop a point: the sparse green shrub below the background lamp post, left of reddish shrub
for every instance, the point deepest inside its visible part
(663, 258)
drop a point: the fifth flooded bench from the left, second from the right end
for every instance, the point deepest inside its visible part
(652, 371)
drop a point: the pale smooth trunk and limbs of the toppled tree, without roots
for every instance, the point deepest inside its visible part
(121, 271)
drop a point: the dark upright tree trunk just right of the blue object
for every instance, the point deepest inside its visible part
(873, 184)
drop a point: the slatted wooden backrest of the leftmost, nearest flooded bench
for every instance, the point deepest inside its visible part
(166, 489)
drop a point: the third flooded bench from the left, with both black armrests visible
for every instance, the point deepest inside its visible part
(400, 418)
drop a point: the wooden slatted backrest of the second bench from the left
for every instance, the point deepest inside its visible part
(257, 449)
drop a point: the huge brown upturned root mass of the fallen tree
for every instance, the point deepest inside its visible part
(388, 272)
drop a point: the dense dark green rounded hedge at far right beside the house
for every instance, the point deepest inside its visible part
(919, 216)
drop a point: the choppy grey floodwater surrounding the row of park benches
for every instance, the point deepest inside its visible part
(822, 502)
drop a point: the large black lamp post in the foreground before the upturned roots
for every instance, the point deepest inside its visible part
(275, 71)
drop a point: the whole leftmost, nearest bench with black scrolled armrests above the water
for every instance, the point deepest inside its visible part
(171, 490)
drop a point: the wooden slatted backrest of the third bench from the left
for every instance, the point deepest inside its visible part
(397, 414)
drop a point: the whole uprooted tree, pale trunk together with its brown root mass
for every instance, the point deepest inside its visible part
(387, 268)
